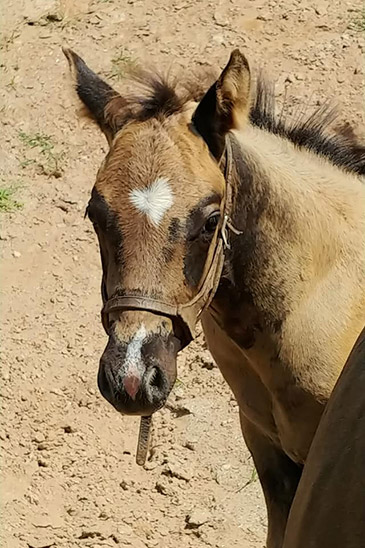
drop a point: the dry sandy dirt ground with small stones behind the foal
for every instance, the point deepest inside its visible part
(69, 477)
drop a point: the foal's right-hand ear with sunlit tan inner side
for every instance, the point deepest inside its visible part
(226, 104)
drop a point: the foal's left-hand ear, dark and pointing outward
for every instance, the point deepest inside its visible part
(101, 100)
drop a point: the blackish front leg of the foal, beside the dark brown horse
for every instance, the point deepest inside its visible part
(279, 477)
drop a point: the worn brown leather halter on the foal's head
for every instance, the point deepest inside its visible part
(187, 314)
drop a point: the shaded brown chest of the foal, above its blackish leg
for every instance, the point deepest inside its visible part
(265, 391)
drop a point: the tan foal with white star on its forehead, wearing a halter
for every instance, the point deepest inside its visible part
(208, 206)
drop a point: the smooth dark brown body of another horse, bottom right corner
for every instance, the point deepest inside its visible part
(328, 508)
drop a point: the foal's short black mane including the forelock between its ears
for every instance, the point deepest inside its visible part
(314, 132)
